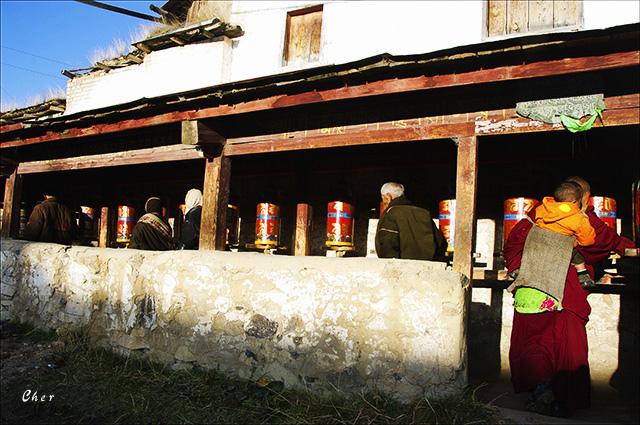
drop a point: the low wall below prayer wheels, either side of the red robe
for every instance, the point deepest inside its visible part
(488, 352)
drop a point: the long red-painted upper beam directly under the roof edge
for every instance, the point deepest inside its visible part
(383, 87)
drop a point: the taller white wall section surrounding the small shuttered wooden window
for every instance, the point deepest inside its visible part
(352, 31)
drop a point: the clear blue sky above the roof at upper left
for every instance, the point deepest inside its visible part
(40, 38)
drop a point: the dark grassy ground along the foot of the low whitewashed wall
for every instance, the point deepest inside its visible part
(95, 386)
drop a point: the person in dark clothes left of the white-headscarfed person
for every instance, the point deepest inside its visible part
(152, 232)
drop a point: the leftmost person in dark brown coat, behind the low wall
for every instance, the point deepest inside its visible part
(51, 221)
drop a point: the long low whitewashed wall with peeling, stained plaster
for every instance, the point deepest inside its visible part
(353, 323)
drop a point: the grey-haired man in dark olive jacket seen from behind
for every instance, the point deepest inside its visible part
(406, 231)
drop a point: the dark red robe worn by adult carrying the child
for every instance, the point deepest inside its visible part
(552, 346)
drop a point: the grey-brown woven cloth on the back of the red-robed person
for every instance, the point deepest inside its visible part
(545, 262)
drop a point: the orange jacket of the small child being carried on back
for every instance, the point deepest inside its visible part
(565, 218)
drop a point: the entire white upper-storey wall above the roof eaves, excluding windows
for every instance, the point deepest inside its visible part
(351, 30)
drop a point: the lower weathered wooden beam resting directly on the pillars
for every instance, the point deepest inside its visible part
(622, 110)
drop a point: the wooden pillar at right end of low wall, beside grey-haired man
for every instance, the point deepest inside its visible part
(466, 184)
